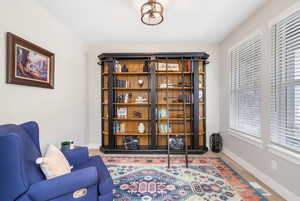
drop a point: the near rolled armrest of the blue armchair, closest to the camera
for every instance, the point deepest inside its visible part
(66, 184)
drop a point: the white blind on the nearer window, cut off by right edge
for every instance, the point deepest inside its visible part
(285, 85)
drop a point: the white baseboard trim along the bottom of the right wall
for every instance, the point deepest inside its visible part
(281, 190)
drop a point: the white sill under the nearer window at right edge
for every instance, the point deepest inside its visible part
(286, 154)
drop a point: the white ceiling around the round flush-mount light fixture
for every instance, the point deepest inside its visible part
(118, 21)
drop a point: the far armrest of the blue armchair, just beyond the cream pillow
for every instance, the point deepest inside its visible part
(77, 156)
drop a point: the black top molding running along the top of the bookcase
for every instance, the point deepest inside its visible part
(159, 55)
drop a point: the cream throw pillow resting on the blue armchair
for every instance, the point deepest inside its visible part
(54, 163)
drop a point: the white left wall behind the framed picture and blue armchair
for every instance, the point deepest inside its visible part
(62, 112)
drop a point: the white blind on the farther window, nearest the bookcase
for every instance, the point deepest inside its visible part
(245, 86)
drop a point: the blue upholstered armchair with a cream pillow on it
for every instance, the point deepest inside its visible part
(22, 180)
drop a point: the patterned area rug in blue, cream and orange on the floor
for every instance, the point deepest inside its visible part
(148, 179)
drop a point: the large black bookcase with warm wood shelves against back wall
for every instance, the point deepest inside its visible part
(130, 77)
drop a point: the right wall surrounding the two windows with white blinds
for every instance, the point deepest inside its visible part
(284, 180)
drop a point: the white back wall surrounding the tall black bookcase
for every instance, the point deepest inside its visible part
(95, 87)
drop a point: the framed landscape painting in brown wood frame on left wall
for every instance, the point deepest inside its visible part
(29, 64)
